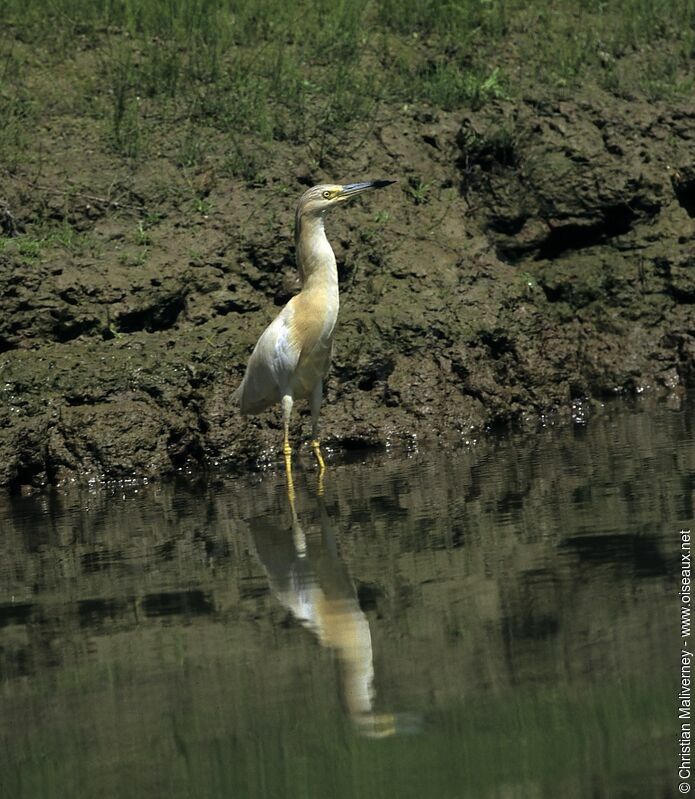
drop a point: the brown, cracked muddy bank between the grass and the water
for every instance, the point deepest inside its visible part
(533, 253)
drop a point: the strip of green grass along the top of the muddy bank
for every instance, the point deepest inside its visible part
(263, 70)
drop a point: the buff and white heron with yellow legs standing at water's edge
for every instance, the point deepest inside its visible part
(293, 354)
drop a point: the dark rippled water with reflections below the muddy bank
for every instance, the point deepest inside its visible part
(496, 622)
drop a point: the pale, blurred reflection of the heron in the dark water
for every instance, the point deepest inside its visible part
(308, 577)
